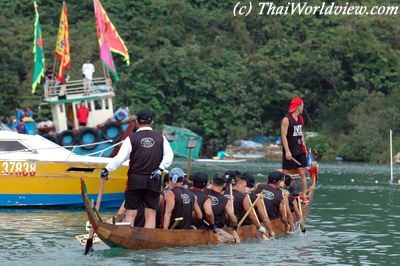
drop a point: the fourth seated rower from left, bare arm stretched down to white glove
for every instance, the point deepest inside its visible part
(241, 203)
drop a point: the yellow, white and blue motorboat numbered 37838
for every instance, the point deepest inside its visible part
(35, 172)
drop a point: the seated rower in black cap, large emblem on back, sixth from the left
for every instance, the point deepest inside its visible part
(274, 199)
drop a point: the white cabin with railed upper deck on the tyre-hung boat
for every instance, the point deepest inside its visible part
(64, 100)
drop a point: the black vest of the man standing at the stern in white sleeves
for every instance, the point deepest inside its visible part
(146, 156)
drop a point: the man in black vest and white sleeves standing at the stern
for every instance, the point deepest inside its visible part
(149, 154)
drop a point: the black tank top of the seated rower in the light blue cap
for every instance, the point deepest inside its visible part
(184, 206)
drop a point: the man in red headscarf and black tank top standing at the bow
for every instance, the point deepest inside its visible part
(294, 158)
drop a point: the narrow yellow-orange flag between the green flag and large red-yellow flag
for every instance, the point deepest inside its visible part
(62, 45)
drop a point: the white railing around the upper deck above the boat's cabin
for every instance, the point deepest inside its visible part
(76, 88)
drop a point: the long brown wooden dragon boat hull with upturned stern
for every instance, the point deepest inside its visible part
(143, 238)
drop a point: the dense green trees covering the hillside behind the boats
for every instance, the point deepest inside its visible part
(226, 77)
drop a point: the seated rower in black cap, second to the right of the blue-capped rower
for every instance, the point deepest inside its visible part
(221, 206)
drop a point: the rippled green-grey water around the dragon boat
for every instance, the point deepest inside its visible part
(350, 223)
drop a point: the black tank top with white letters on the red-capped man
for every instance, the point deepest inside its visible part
(294, 135)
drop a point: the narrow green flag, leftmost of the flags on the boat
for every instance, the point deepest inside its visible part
(38, 71)
